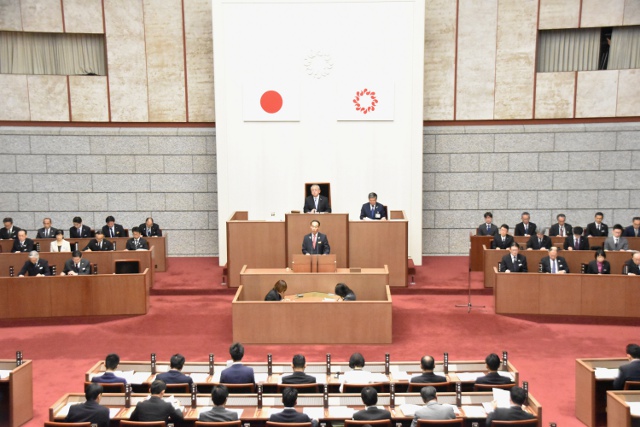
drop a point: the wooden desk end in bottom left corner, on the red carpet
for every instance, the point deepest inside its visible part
(17, 388)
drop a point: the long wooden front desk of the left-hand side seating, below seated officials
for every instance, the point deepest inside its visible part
(90, 295)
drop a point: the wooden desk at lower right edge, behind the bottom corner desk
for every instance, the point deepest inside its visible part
(591, 392)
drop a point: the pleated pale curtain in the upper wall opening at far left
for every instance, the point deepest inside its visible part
(48, 53)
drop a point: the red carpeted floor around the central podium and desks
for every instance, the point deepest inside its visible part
(190, 313)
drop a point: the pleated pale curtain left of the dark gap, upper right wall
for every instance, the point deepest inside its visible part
(568, 50)
